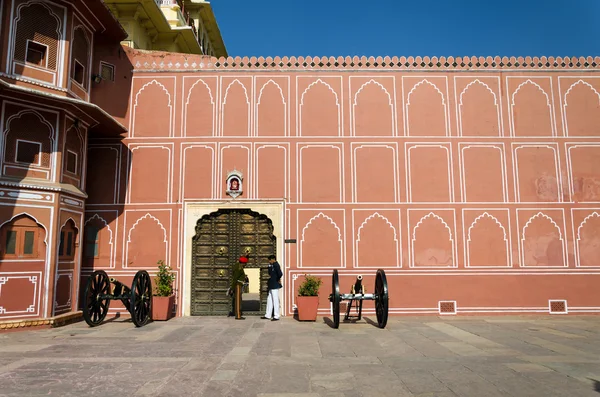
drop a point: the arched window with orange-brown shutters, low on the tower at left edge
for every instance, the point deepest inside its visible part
(19, 239)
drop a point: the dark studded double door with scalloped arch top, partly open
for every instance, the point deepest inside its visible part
(221, 238)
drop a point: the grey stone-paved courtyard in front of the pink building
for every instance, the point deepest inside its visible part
(414, 356)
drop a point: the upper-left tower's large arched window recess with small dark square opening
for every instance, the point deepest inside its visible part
(37, 35)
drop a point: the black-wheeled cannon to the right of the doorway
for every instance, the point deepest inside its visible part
(357, 295)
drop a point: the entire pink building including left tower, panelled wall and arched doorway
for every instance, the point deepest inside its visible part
(474, 183)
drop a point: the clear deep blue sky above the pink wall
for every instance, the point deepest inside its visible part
(404, 28)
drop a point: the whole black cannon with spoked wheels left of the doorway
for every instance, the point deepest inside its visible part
(137, 300)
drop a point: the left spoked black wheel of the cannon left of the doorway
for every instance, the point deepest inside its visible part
(96, 303)
